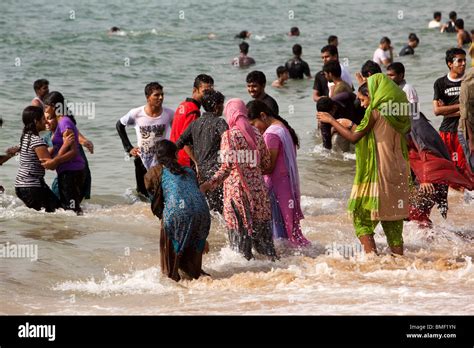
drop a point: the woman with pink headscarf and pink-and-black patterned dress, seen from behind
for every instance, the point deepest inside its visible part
(243, 157)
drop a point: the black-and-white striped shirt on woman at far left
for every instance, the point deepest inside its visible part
(30, 172)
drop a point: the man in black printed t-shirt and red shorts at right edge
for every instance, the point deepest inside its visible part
(446, 103)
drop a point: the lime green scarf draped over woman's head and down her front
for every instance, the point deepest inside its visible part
(386, 97)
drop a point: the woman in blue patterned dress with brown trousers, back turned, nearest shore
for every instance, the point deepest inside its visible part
(184, 214)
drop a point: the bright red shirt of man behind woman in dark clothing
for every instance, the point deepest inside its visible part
(187, 112)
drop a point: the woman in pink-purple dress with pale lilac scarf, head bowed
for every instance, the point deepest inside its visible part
(282, 178)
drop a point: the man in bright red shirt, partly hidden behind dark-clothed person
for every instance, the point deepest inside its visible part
(187, 112)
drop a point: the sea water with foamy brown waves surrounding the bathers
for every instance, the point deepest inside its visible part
(107, 262)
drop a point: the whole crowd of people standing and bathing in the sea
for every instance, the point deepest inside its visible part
(190, 162)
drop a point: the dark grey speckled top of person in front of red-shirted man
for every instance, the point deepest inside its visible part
(204, 135)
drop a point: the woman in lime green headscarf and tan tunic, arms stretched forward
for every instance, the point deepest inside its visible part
(380, 189)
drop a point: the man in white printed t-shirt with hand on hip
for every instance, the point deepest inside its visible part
(152, 123)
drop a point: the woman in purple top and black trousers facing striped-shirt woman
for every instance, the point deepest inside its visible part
(71, 173)
